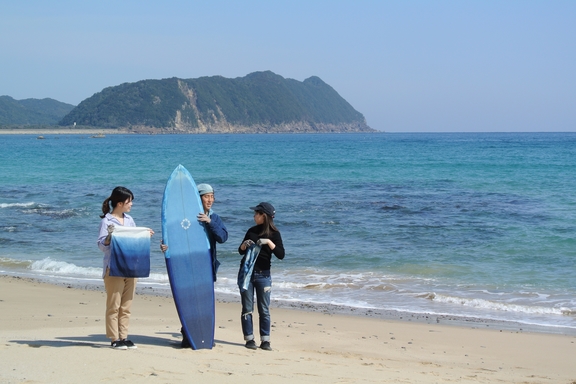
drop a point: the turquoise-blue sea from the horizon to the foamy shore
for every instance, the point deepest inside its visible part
(478, 225)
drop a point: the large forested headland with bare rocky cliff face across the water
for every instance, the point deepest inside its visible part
(261, 102)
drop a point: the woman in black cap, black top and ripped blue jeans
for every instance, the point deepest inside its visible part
(265, 234)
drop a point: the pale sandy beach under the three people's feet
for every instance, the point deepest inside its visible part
(55, 334)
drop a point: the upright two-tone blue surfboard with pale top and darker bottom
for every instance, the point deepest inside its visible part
(188, 259)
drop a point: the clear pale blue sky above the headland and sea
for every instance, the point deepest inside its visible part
(408, 66)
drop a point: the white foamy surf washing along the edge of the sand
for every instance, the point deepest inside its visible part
(367, 294)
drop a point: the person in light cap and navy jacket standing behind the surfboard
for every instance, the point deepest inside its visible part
(215, 229)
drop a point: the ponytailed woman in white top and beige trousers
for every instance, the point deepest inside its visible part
(119, 290)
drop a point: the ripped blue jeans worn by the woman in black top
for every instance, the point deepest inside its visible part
(261, 282)
